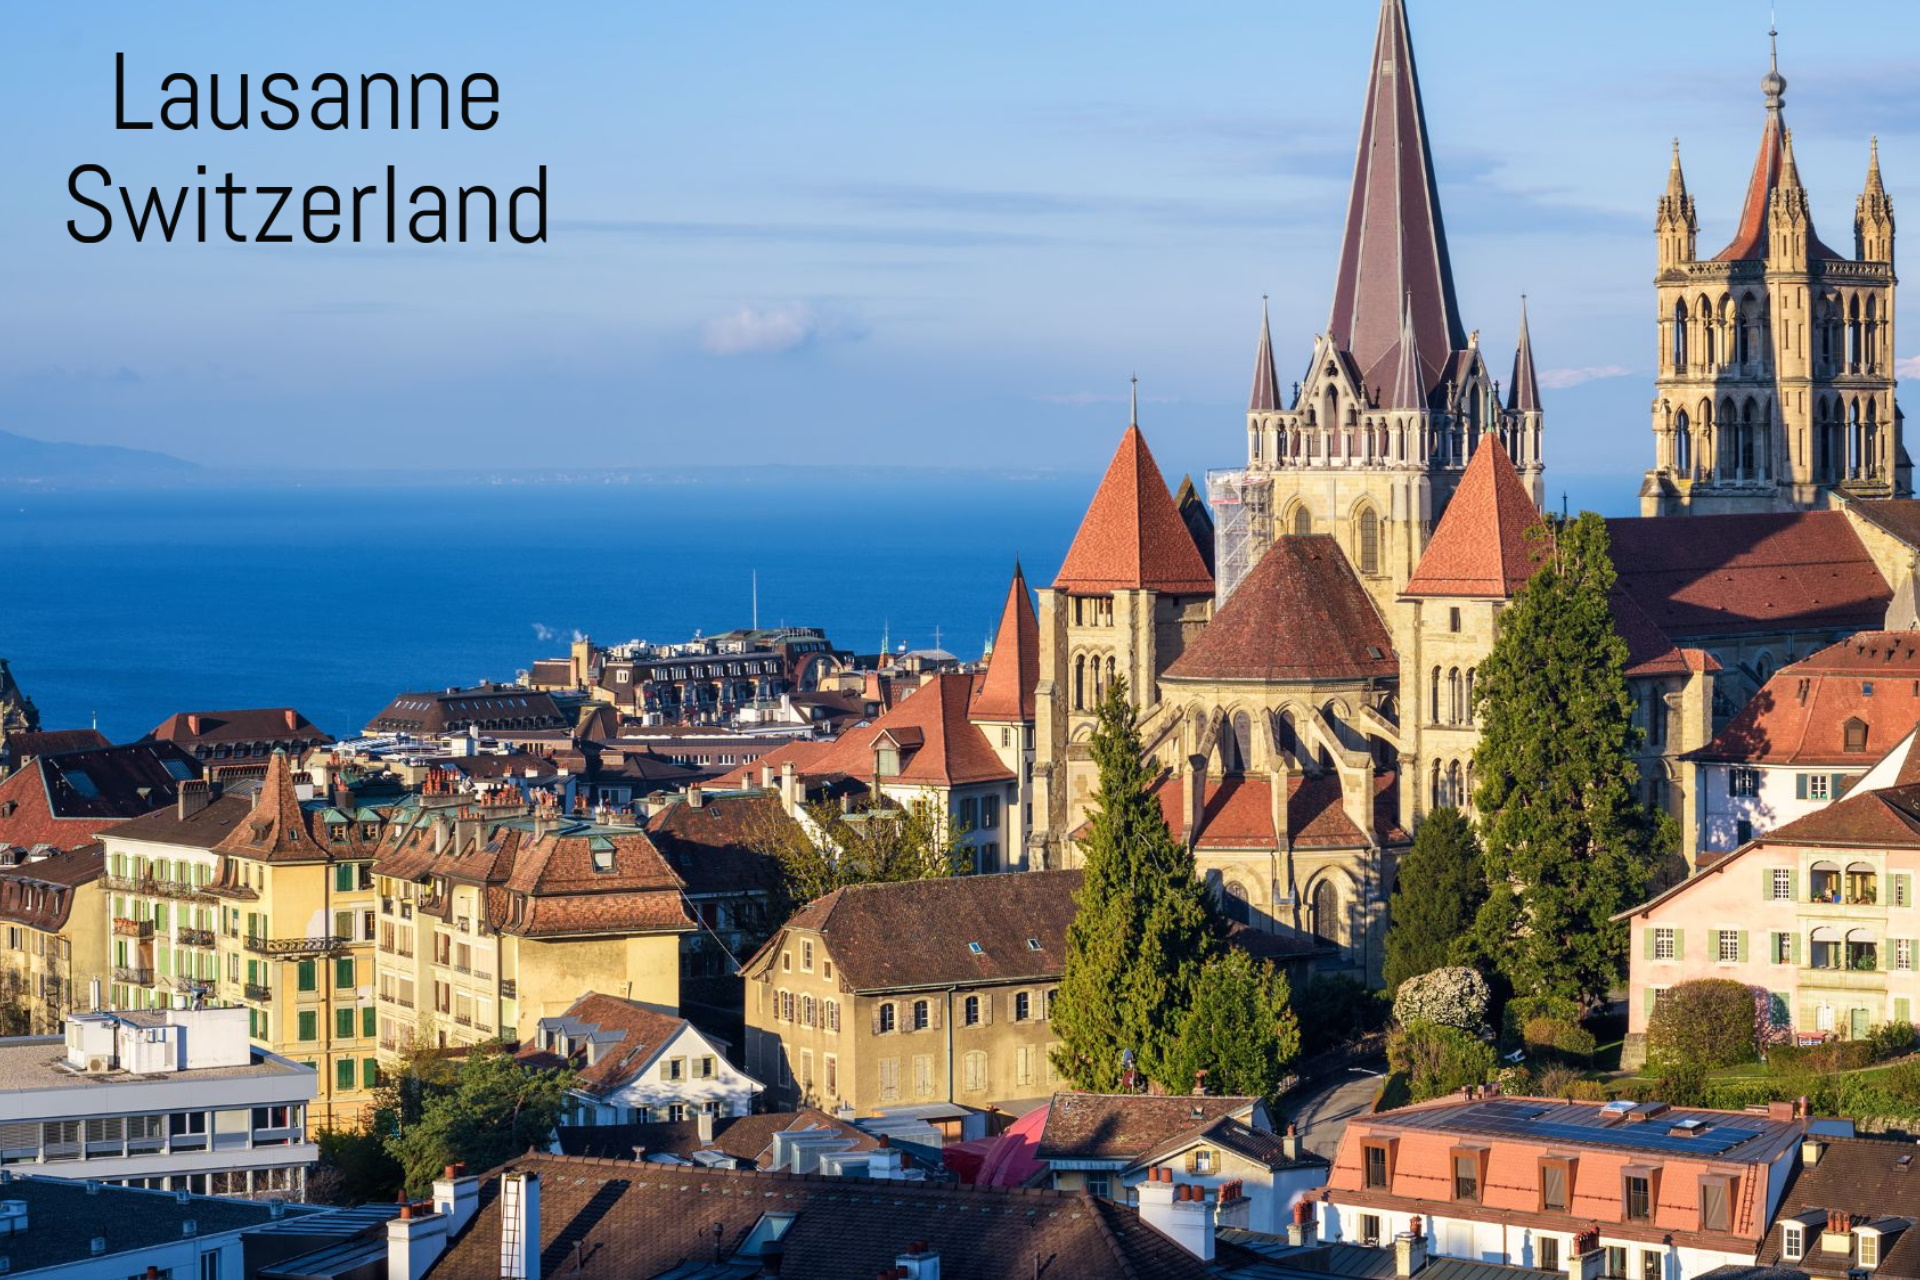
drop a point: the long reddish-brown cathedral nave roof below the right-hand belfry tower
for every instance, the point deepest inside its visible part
(1708, 577)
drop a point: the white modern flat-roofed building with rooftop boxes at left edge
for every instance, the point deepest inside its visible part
(168, 1101)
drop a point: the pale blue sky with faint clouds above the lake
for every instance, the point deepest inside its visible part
(878, 233)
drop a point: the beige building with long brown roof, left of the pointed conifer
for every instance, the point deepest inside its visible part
(913, 993)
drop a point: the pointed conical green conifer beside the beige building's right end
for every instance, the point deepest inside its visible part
(1143, 930)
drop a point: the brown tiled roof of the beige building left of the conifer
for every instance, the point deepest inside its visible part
(919, 934)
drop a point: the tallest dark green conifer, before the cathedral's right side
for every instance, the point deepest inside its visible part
(1568, 841)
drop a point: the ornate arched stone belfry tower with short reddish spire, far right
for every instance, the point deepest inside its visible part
(1777, 354)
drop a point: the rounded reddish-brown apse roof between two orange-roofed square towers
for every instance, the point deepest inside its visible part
(1301, 615)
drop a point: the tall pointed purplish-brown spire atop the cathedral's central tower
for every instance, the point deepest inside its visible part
(1395, 243)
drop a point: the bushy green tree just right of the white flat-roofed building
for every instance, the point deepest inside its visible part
(491, 1112)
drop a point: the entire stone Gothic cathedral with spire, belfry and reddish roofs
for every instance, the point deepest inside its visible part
(1301, 640)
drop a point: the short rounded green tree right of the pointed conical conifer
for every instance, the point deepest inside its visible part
(1241, 1030)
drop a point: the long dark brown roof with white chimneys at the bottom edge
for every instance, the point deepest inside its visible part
(648, 1220)
